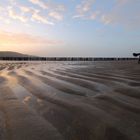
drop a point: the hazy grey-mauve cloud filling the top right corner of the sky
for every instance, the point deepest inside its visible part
(124, 13)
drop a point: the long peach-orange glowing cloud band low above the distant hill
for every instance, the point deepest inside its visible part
(22, 39)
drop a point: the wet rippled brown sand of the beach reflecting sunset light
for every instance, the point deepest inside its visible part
(70, 101)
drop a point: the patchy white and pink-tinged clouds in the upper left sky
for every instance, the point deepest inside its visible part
(48, 14)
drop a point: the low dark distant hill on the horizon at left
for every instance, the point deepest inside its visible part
(13, 54)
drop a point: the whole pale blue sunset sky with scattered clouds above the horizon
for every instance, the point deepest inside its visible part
(87, 28)
